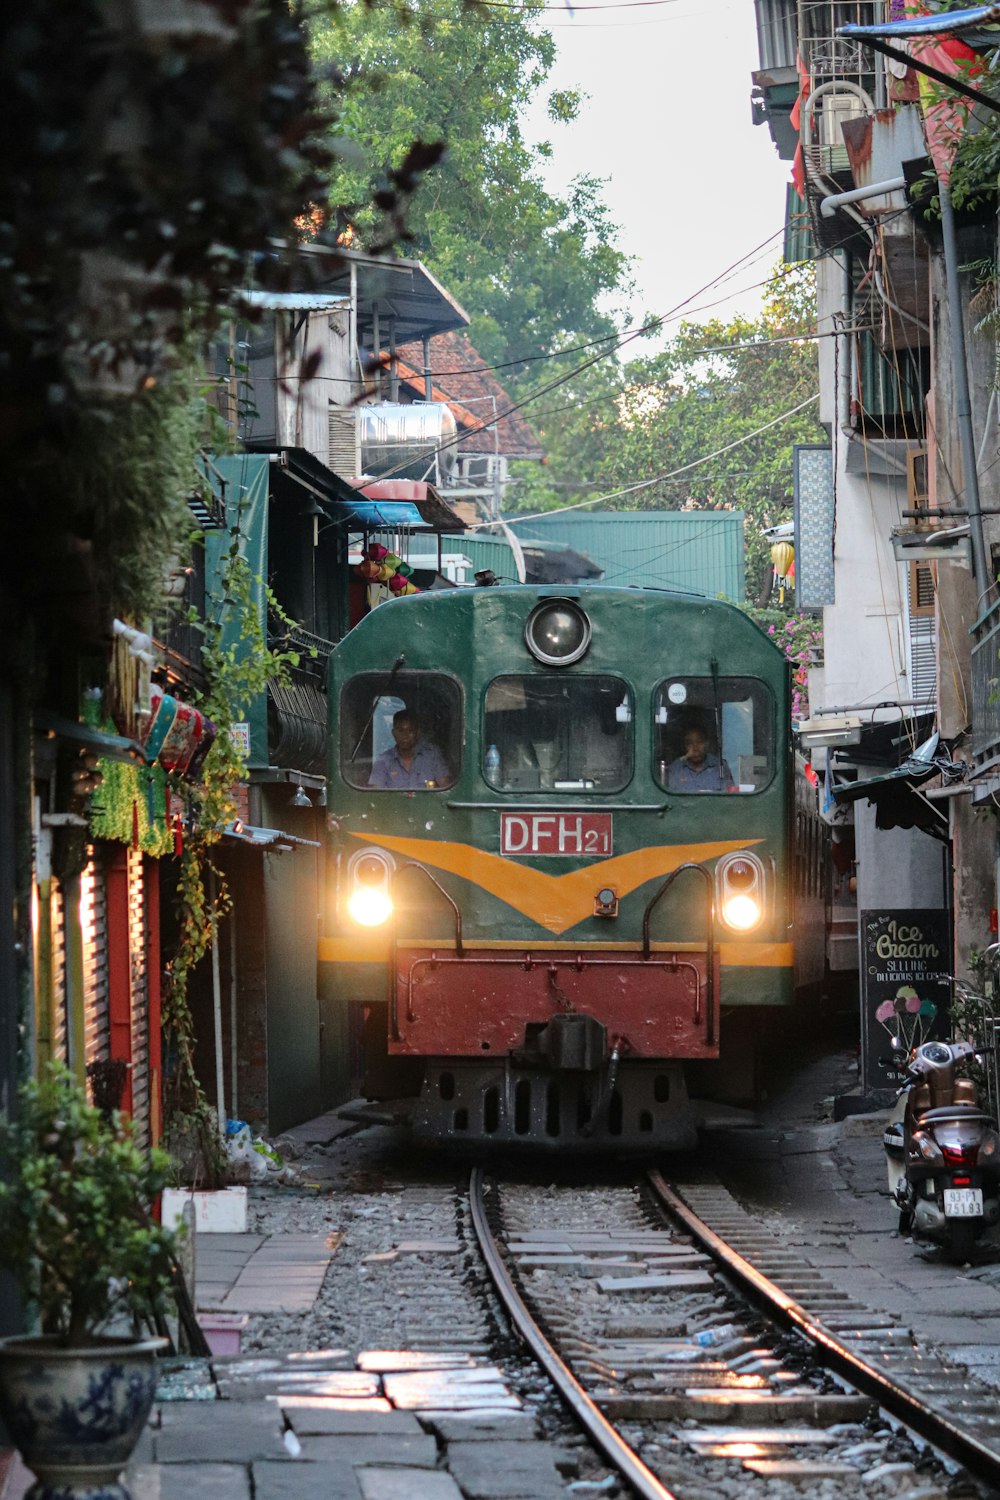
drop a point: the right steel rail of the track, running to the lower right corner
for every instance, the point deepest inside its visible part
(935, 1426)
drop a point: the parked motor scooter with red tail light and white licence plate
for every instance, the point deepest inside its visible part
(944, 1153)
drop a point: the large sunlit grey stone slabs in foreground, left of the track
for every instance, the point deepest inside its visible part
(391, 1426)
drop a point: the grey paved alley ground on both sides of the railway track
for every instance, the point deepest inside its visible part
(367, 1367)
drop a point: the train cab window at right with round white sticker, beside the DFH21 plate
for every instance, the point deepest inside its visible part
(713, 734)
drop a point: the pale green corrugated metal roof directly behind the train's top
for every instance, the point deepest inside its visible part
(690, 551)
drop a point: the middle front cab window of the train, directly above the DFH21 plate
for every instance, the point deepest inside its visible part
(567, 734)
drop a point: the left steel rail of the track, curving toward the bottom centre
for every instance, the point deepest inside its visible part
(591, 1418)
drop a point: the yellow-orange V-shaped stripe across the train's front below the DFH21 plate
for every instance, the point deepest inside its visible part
(557, 902)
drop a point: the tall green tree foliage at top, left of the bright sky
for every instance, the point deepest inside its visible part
(530, 268)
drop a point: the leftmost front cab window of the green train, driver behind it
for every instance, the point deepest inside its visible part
(401, 731)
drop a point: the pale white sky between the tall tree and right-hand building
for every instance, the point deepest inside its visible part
(690, 181)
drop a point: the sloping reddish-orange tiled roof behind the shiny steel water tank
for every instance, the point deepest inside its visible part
(463, 379)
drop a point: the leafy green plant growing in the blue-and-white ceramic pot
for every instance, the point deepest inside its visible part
(76, 1198)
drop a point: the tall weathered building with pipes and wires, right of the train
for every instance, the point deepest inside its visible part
(882, 526)
